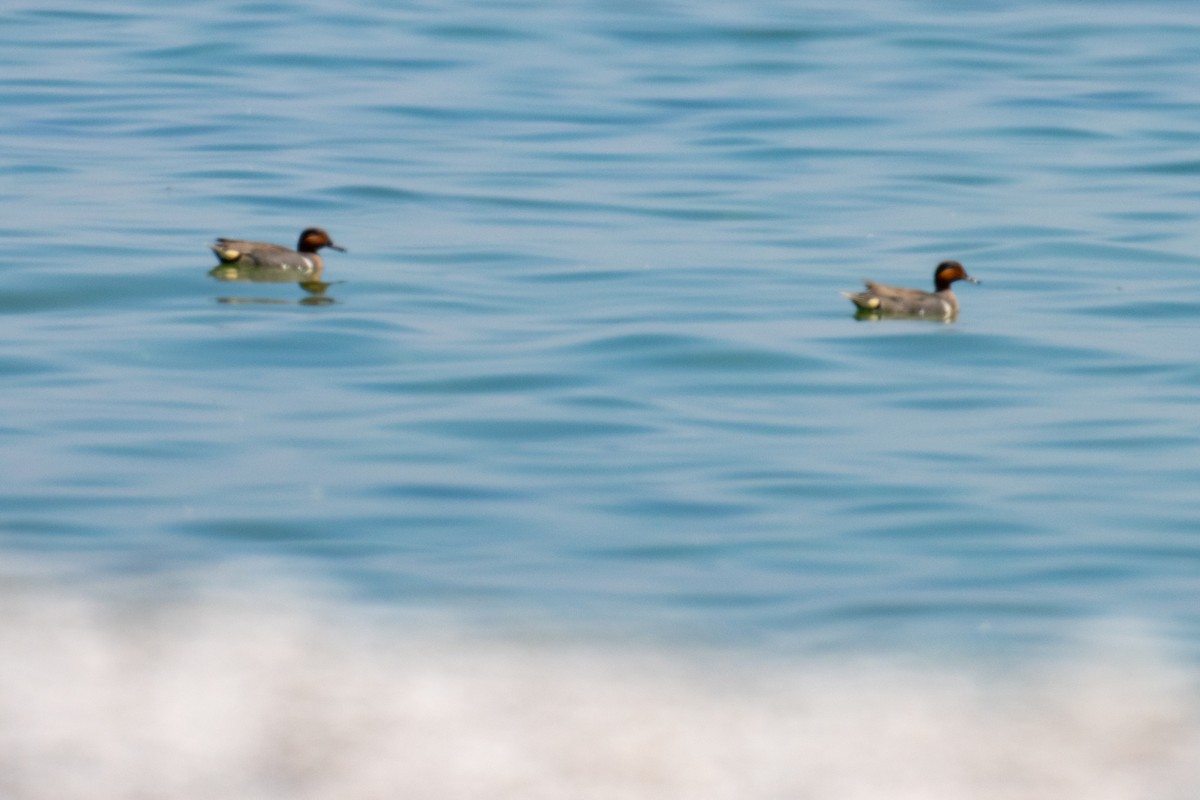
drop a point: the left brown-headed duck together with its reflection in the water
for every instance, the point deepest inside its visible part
(266, 263)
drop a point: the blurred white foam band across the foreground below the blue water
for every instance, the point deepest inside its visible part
(267, 695)
